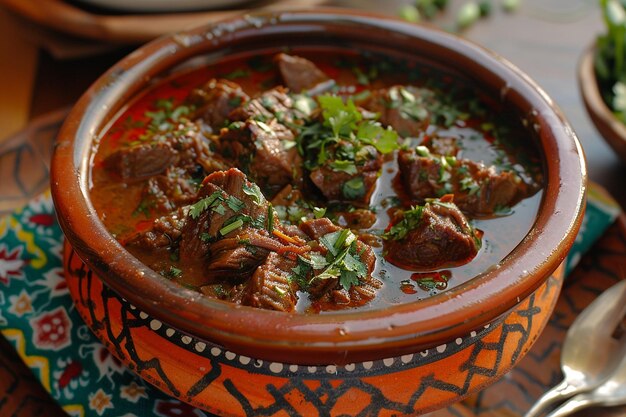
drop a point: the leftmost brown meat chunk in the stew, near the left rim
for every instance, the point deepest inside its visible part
(141, 161)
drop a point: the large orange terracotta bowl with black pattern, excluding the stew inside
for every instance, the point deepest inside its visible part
(234, 360)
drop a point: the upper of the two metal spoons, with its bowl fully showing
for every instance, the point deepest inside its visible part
(590, 353)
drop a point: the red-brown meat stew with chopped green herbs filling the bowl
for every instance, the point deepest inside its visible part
(317, 180)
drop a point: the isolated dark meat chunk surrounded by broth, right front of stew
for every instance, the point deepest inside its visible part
(433, 236)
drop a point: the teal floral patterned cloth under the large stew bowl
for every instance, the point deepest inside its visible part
(38, 318)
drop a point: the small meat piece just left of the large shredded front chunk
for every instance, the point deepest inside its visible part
(163, 233)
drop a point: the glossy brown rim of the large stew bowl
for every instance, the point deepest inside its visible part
(344, 337)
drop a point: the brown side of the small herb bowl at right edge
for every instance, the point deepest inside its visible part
(609, 126)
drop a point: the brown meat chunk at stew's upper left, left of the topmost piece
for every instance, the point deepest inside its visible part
(215, 100)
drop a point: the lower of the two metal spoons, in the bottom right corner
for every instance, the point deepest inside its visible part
(611, 393)
